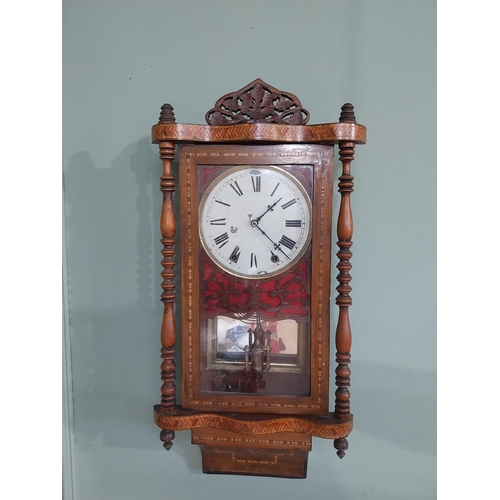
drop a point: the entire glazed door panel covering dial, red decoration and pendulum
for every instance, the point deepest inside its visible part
(255, 225)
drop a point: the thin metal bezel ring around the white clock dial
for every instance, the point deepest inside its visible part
(305, 241)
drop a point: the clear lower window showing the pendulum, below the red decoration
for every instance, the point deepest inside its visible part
(255, 356)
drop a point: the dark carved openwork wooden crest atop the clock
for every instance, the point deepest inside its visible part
(258, 102)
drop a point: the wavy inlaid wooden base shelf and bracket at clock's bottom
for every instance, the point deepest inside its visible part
(258, 444)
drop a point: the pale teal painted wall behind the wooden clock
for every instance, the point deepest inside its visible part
(121, 62)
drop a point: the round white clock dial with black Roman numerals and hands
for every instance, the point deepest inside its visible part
(255, 221)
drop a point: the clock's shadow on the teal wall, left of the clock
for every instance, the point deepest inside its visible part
(113, 252)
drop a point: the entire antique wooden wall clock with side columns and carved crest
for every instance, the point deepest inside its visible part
(255, 224)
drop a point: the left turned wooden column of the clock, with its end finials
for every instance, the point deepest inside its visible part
(167, 228)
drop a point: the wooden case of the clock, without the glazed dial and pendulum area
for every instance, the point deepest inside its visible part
(256, 435)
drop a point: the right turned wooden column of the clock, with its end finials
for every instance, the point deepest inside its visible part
(343, 337)
